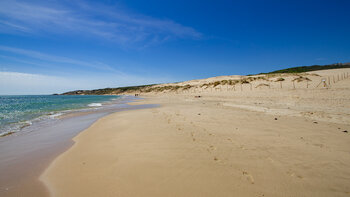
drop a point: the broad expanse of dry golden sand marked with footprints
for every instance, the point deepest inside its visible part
(266, 142)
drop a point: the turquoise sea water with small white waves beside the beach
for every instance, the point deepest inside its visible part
(19, 111)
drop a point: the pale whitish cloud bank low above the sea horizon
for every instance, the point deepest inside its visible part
(14, 83)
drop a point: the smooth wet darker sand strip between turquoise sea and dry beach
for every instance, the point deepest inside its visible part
(24, 157)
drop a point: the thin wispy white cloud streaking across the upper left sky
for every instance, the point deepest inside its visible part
(93, 20)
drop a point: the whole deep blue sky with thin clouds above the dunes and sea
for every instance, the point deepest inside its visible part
(49, 46)
